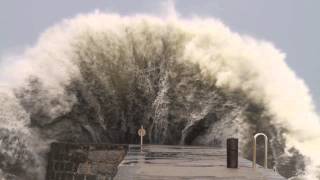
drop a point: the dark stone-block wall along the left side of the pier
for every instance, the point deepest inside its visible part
(68, 161)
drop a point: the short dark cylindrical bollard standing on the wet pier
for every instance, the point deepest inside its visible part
(232, 153)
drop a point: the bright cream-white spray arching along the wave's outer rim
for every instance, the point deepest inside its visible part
(231, 61)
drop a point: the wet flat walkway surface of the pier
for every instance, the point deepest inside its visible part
(161, 162)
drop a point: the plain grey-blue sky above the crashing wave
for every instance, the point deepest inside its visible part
(293, 26)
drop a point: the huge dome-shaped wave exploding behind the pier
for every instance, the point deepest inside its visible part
(98, 77)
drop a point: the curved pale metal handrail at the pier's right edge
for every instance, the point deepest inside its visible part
(255, 150)
